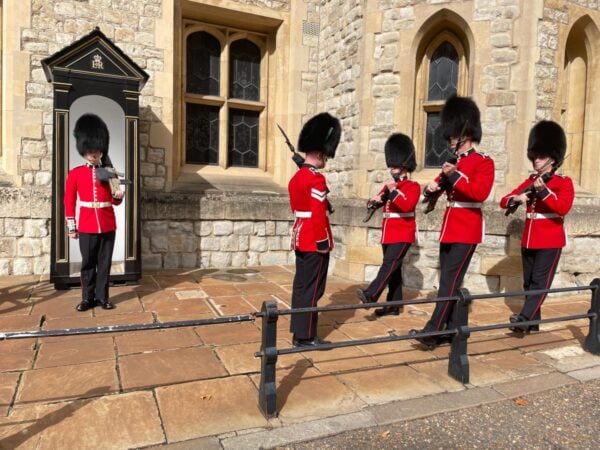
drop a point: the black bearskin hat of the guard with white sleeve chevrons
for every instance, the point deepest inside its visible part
(321, 133)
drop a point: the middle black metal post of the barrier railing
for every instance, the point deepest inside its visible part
(458, 362)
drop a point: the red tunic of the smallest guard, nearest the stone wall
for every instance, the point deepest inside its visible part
(399, 224)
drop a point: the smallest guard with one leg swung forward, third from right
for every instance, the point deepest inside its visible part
(400, 196)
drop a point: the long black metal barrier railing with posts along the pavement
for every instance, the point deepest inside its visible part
(458, 363)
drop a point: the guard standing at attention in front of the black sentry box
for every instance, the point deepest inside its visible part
(96, 224)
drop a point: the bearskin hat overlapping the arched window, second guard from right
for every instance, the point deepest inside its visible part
(457, 112)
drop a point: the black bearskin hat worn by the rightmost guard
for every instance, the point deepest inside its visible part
(547, 138)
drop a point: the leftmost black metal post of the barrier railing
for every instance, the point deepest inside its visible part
(267, 394)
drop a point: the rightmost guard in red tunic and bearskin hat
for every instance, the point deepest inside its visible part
(549, 198)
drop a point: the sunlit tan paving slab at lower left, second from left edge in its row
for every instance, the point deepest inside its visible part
(67, 382)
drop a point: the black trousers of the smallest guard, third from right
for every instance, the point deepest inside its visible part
(390, 273)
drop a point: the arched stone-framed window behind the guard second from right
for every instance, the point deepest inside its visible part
(442, 72)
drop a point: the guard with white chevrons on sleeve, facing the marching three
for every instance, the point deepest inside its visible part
(311, 234)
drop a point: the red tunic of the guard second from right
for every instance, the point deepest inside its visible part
(471, 186)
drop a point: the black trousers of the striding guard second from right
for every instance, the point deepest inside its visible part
(454, 262)
